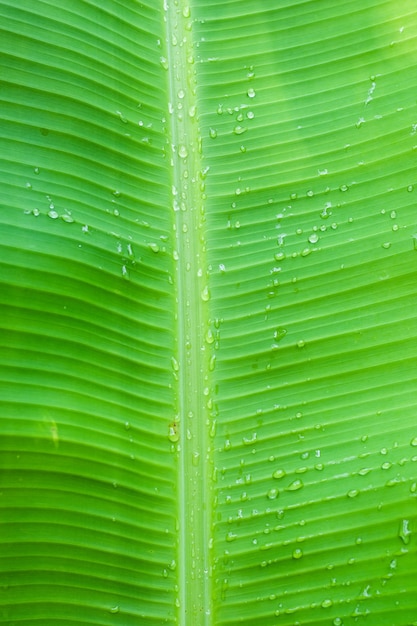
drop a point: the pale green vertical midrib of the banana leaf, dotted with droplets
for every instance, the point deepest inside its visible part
(191, 362)
